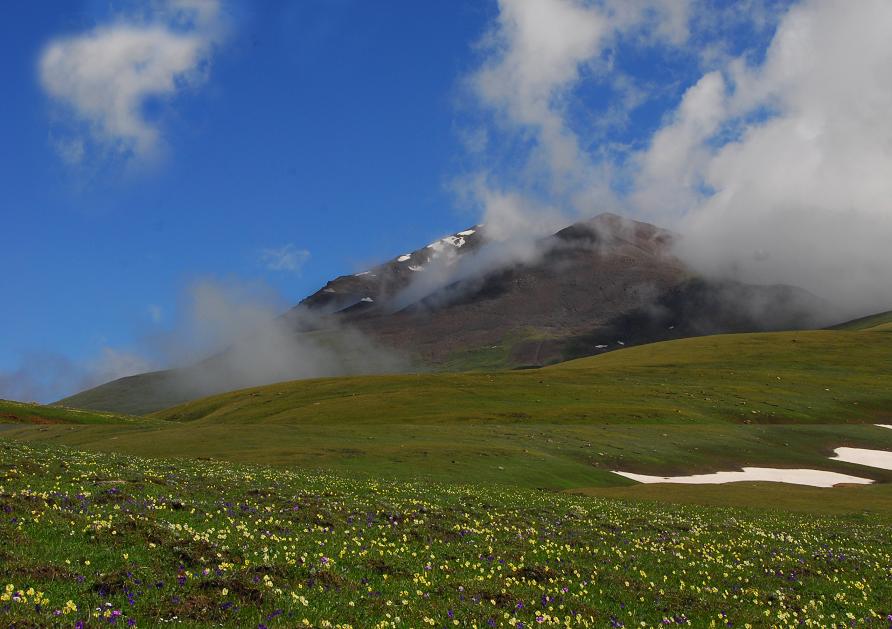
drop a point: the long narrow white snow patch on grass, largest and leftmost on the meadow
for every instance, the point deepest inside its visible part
(813, 478)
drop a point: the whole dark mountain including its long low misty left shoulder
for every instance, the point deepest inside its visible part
(470, 300)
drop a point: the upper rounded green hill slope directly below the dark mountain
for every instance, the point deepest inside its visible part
(817, 376)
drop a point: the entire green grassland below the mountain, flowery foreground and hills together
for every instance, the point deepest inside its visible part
(468, 499)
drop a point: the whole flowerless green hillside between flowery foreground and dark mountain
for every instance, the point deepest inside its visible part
(695, 405)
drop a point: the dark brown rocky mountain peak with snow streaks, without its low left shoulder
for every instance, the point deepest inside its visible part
(597, 285)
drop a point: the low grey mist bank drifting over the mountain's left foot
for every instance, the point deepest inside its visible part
(225, 335)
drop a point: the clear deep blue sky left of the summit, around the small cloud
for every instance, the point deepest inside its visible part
(313, 128)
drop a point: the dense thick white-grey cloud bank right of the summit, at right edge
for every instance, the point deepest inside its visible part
(803, 194)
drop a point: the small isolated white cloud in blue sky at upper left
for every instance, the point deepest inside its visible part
(105, 77)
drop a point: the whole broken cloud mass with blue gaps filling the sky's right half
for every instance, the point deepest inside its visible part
(773, 162)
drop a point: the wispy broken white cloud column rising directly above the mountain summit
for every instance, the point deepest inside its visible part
(536, 53)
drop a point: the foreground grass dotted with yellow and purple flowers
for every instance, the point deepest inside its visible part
(111, 539)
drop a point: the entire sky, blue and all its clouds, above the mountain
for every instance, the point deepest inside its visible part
(297, 141)
